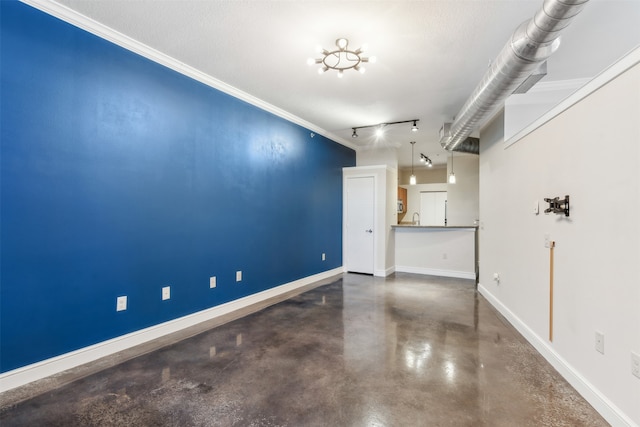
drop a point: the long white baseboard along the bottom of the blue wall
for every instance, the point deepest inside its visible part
(26, 374)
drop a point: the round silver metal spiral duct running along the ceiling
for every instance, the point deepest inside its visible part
(532, 43)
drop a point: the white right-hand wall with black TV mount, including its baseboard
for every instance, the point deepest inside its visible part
(591, 152)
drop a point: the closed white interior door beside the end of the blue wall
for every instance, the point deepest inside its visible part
(359, 224)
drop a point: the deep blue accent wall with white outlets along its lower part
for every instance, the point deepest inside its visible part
(121, 176)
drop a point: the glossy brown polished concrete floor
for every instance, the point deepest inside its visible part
(407, 350)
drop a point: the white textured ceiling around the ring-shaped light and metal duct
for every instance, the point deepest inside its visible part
(431, 54)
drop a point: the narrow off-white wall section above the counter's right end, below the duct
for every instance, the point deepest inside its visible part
(463, 203)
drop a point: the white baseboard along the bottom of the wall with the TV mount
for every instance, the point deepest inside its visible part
(604, 406)
